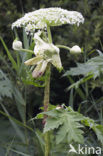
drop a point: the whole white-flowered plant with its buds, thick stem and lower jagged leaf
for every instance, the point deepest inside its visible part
(66, 124)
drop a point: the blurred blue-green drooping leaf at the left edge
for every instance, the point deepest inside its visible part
(7, 88)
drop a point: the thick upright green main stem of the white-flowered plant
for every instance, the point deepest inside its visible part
(46, 99)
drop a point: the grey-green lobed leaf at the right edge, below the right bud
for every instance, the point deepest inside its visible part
(91, 69)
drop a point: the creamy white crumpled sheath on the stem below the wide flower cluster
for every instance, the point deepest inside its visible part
(45, 53)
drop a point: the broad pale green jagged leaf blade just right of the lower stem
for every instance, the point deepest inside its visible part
(67, 125)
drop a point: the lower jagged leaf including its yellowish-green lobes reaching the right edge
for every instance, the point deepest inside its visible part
(69, 125)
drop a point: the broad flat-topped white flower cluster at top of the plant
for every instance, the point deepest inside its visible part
(39, 19)
